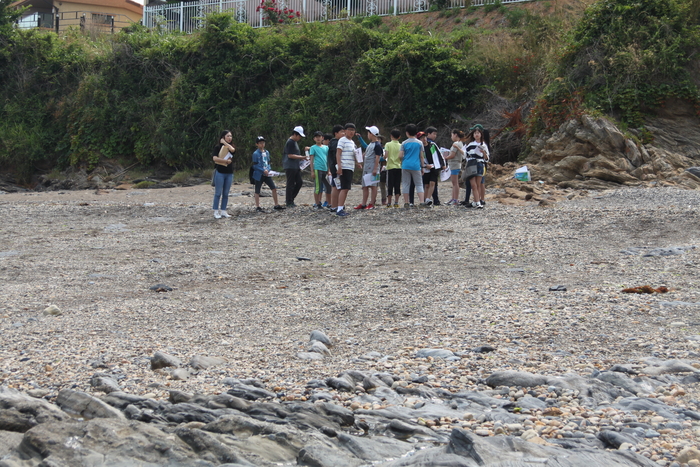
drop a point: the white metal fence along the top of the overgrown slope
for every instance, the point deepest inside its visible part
(188, 16)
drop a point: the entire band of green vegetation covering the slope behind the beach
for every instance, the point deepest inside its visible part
(148, 98)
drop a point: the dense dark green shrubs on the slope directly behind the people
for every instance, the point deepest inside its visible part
(147, 97)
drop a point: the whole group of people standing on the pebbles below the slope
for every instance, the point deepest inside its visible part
(410, 167)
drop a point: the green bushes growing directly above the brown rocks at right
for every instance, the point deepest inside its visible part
(624, 58)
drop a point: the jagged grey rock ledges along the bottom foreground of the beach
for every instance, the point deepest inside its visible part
(518, 419)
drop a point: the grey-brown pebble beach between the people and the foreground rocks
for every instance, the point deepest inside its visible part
(439, 299)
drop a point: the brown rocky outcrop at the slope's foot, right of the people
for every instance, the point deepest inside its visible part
(593, 153)
